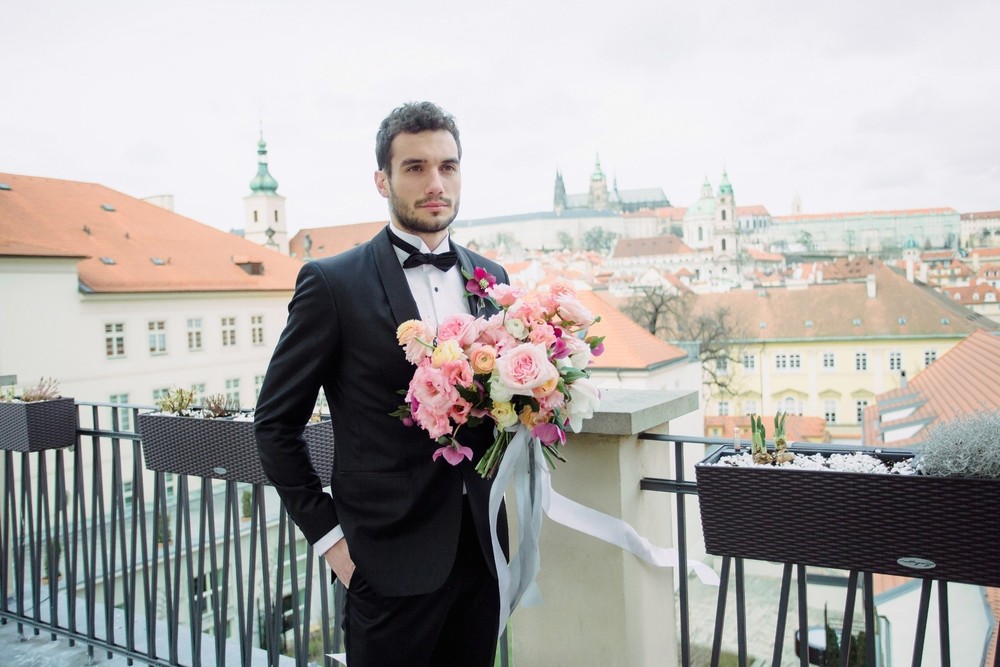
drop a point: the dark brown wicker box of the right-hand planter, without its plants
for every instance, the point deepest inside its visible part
(918, 526)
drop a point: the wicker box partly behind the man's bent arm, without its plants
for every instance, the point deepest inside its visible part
(220, 448)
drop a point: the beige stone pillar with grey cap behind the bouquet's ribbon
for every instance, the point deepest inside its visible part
(601, 605)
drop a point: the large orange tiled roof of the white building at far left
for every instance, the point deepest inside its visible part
(128, 245)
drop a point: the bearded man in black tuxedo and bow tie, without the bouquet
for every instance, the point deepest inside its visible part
(408, 536)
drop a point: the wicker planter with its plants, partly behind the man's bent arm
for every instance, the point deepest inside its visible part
(216, 439)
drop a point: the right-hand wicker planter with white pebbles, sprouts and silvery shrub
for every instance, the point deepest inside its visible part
(858, 508)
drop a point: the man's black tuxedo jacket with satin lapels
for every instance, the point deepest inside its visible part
(399, 510)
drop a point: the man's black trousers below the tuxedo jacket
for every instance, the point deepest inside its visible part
(454, 625)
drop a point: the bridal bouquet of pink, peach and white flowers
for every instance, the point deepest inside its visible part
(524, 366)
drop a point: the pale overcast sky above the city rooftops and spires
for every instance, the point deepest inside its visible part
(854, 105)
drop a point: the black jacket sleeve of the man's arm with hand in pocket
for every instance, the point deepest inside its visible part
(299, 364)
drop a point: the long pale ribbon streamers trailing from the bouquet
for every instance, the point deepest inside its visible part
(524, 462)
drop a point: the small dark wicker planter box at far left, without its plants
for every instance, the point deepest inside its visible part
(39, 425)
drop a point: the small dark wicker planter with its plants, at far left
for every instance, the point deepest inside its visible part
(37, 419)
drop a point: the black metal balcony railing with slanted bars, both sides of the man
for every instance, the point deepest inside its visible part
(168, 569)
